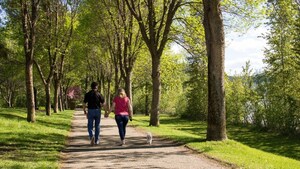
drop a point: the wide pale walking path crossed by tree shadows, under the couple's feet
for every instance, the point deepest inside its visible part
(136, 154)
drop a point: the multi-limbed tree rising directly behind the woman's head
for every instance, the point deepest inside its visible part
(128, 39)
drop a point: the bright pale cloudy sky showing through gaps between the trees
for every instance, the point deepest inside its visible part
(241, 48)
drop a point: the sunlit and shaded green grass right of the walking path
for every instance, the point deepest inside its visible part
(245, 148)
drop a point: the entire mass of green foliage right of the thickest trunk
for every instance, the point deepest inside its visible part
(271, 99)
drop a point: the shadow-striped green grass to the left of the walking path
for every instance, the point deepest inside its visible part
(32, 145)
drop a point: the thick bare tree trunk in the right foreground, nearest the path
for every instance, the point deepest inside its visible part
(215, 45)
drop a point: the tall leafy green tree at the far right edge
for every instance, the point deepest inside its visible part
(282, 110)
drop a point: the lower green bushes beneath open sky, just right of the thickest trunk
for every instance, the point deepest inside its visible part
(242, 100)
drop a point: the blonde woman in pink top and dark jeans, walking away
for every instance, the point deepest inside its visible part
(123, 111)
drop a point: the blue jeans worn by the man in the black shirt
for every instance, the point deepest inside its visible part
(94, 115)
